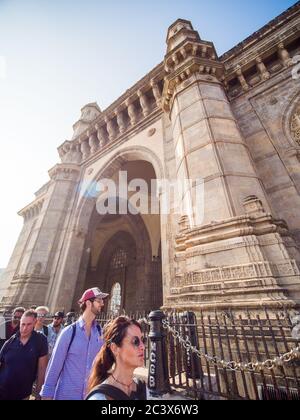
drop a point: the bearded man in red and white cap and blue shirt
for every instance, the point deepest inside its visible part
(74, 352)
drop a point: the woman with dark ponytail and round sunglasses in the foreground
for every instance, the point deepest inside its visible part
(112, 375)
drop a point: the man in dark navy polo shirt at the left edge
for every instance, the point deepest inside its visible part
(23, 359)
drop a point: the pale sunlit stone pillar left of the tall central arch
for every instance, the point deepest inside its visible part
(33, 267)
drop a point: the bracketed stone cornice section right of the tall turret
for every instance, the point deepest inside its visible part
(265, 54)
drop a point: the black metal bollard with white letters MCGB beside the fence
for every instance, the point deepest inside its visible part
(158, 380)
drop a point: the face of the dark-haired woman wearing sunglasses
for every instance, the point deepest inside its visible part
(131, 353)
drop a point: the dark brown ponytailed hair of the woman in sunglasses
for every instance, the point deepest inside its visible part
(114, 332)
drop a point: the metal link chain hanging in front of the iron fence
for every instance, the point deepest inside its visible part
(269, 364)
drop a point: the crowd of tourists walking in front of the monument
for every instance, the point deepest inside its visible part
(68, 360)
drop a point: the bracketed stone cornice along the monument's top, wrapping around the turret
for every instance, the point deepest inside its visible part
(262, 56)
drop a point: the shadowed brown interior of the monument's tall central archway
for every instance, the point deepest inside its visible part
(124, 250)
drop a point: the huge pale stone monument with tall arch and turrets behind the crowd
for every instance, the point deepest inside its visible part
(230, 123)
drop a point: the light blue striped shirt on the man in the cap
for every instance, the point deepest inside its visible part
(67, 373)
